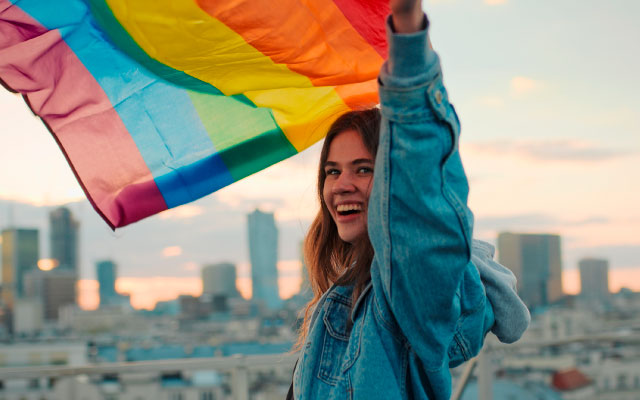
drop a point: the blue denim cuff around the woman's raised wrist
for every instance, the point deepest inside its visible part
(411, 61)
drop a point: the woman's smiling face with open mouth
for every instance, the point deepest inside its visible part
(347, 185)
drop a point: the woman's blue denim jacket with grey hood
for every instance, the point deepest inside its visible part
(426, 308)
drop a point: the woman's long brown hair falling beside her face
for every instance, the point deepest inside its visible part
(329, 259)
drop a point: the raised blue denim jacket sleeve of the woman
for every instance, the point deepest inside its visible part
(418, 219)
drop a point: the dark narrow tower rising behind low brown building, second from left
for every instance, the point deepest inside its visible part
(63, 238)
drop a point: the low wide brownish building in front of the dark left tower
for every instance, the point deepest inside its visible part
(54, 289)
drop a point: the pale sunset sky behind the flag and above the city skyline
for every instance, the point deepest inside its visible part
(549, 99)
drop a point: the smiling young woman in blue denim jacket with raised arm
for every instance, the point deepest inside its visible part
(398, 293)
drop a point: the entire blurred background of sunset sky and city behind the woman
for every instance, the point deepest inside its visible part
(201, 302)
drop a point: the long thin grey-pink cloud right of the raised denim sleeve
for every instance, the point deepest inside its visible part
(550, 150)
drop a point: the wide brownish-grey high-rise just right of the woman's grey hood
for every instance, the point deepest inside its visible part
(536, 261)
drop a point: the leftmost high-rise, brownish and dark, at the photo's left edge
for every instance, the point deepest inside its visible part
(20, 255)
